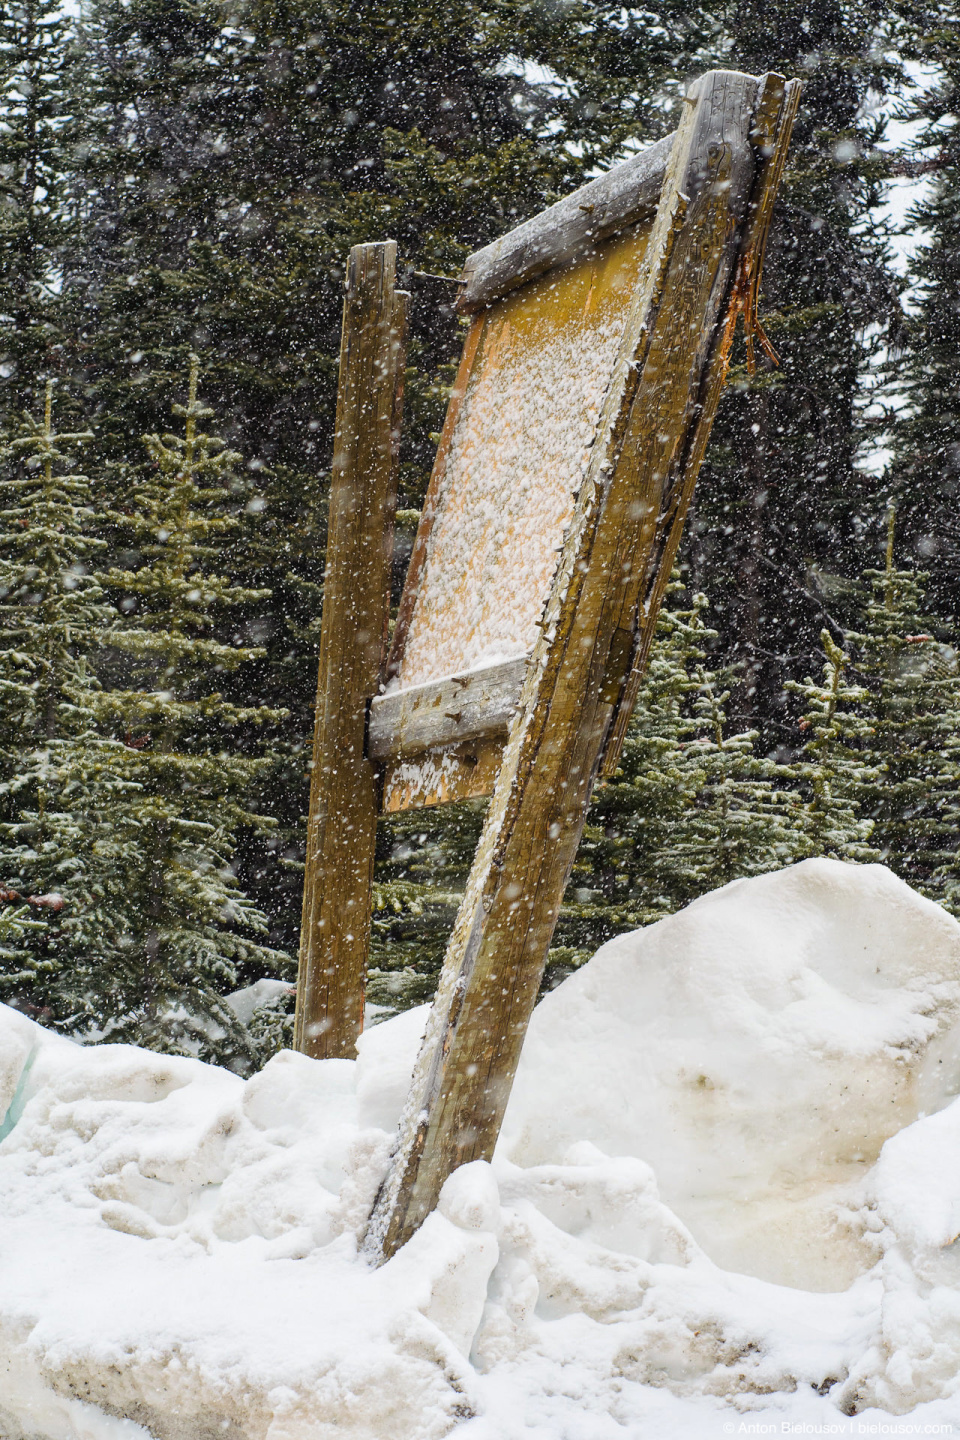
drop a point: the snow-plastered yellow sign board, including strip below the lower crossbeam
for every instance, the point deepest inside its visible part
(536, 371)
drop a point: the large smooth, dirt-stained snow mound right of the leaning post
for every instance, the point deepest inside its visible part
(758, 1050)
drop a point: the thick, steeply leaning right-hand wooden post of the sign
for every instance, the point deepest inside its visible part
(579, 667)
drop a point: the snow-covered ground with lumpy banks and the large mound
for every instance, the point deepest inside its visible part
(725, 1203)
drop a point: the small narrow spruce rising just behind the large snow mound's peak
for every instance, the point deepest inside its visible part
(837, 764)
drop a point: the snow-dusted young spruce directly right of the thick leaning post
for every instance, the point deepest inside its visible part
(692, 807)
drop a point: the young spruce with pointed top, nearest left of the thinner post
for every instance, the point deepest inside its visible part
(195, 927)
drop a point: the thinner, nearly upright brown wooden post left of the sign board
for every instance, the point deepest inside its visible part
(343, 794)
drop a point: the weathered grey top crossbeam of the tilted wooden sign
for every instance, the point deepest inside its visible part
(625, 195)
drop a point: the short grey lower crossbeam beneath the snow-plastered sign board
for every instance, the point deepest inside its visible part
(480, 703)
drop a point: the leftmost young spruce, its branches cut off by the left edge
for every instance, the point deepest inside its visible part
(64, 786)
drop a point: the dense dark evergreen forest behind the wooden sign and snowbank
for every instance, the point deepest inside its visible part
(185, 178)
